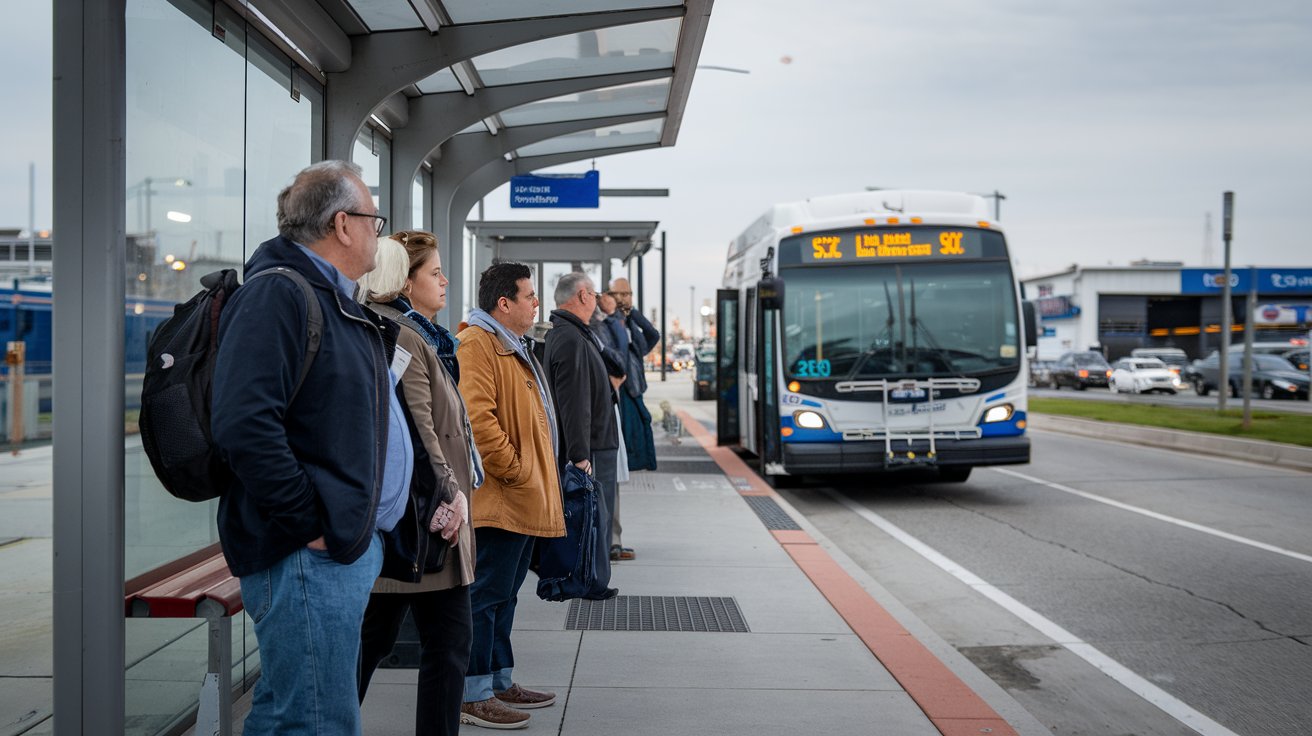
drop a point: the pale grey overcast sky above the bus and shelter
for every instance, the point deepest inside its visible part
(1112, 128)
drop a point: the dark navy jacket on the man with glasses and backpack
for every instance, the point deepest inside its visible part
(312, 469)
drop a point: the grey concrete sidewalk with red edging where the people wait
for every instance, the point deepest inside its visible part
(801, 668)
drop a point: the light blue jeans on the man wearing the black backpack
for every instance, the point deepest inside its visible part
(308, 612)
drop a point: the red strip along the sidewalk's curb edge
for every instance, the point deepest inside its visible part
(949, 704)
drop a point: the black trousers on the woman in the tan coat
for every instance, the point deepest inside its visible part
(445, 632)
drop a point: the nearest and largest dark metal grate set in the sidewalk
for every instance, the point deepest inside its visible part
(657, 613)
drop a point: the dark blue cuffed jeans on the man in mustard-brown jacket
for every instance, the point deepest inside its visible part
(501, 567)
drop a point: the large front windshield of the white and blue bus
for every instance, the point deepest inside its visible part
(899, 321)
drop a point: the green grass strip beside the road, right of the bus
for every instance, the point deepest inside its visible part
(1272, 427)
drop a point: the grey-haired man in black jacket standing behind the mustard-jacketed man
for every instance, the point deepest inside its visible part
(586, 403)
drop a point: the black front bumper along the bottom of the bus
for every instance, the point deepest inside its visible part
(826, 459)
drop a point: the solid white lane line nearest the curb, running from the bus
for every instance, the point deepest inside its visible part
(1164, 701)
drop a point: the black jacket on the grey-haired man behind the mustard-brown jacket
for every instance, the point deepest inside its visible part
(586, 402)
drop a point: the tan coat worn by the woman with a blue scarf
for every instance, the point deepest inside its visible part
(439, 411)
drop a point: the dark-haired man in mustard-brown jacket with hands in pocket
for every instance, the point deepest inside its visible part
(515, 428)
